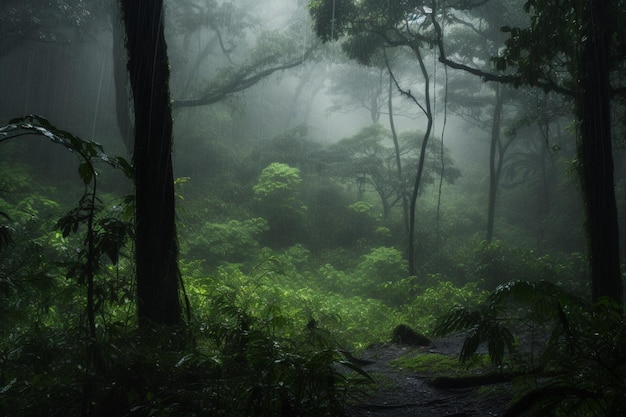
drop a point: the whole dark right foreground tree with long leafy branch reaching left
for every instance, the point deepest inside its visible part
(577, 55)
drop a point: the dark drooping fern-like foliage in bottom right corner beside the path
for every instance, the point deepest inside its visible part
(582, 364)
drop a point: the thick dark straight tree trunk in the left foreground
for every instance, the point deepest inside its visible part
(156, 248)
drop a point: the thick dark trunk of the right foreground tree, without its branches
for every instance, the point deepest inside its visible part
(595, 154)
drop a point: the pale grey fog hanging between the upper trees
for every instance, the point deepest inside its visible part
(72, 83)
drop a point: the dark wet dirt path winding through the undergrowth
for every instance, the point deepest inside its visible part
(402, 393)
